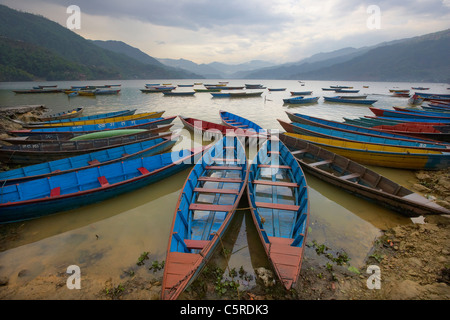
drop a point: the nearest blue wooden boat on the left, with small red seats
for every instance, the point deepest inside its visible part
(41, 197)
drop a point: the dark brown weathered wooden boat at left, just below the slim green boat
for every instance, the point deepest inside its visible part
(27, 154)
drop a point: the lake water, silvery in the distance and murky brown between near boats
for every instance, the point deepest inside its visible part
(107, 238)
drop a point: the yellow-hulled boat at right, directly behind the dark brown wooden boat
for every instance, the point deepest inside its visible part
(382, 155)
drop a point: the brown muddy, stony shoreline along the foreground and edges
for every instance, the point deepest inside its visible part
(412, 263)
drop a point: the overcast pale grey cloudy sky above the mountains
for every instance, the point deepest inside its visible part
(236, 31)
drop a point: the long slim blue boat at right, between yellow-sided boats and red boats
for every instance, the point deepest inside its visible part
(362, 130)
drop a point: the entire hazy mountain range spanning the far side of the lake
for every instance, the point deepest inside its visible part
(35, 48)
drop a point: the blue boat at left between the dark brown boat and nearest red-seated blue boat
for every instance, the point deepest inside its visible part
(150, 147)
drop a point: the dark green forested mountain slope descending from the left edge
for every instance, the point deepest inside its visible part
(47, 38)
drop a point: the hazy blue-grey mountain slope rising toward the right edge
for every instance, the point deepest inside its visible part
(423, 58)
